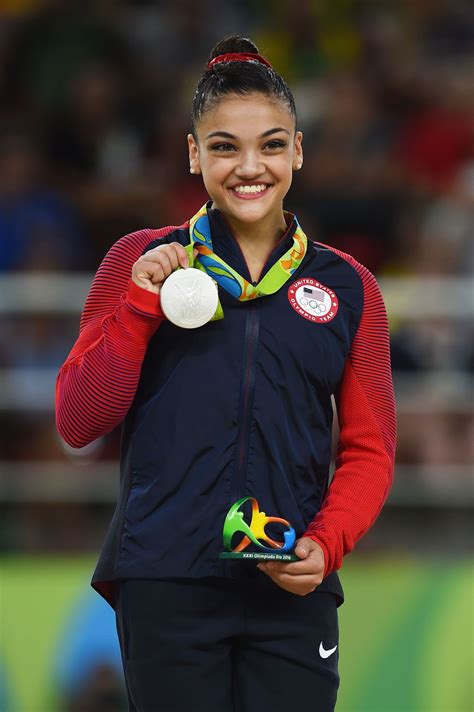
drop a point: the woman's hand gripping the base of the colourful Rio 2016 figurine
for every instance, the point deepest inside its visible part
(299, 577)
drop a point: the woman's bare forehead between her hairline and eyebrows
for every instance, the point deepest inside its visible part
(248, 115)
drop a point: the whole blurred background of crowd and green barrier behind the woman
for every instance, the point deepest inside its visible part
(94, 111)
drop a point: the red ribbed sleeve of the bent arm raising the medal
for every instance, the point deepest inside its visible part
(97, 383)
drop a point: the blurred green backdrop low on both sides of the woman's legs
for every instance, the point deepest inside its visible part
(406, 631)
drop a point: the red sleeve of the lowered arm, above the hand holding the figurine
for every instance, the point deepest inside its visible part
(367, 421)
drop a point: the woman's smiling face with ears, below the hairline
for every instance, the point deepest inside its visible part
(247, 151)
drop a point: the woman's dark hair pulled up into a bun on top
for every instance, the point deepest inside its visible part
(237, 78)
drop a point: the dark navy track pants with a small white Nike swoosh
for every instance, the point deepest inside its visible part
(225, 645)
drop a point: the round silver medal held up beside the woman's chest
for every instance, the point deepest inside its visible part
(189, 298)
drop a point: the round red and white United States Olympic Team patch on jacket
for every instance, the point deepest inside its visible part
(313, 300)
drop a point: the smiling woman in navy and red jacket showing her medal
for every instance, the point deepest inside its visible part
(239, 407)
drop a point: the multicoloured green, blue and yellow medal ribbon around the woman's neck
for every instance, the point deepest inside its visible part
(228, 278)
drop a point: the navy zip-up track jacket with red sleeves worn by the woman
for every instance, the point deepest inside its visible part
(238, 407)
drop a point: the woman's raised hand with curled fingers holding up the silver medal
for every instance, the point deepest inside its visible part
(152, 268)
